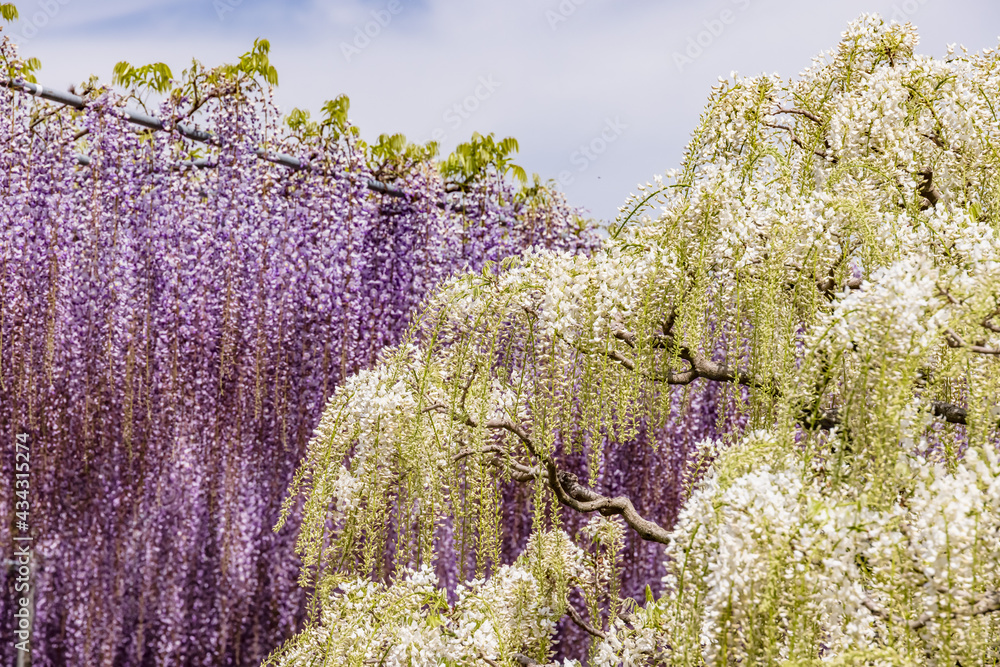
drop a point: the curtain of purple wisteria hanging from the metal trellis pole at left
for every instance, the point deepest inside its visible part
(169, 335)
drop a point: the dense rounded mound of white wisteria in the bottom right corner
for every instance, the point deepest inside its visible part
(769, 561)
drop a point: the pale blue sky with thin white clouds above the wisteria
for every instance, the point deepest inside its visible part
(601, 94)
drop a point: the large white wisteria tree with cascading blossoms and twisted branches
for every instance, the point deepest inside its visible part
(828, 252)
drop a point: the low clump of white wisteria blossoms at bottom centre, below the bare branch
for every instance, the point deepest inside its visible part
(412, 621)
